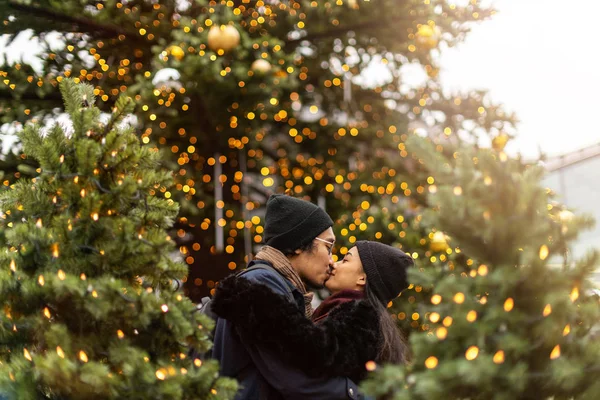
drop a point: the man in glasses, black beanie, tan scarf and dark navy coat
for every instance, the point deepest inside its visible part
(298, 244)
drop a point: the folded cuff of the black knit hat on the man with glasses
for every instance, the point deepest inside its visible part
(304, 232)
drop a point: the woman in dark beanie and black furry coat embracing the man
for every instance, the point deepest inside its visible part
(349, 328)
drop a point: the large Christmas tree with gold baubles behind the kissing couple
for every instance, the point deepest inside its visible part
(245, 98)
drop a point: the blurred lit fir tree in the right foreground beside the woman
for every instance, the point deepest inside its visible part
(513, 317)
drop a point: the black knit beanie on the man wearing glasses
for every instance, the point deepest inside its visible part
(291, 223)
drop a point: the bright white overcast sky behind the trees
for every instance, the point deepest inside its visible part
(537, 58)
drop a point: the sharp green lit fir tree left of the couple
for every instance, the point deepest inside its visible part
(88, 282)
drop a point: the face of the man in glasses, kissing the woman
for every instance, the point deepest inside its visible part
(313, 265)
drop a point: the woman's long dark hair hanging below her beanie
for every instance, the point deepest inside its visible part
(393, 347)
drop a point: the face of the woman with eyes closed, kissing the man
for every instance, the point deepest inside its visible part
(347, 273)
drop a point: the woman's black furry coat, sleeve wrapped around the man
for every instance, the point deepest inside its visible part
(339, 345)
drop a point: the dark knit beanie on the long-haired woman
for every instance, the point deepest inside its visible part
(386, 268)
